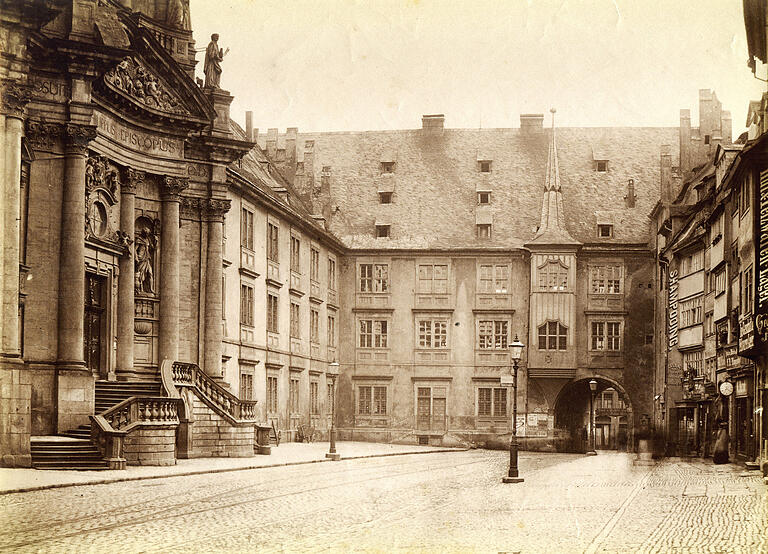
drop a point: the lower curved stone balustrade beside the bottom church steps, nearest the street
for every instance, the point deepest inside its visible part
(109, 428)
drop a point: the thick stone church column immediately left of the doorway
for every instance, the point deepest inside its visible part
(72, 243)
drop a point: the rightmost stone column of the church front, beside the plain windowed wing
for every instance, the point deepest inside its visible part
(214, 212)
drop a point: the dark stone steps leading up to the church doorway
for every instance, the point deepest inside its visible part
(73, 449)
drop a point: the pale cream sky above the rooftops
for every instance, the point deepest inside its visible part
(330, 65)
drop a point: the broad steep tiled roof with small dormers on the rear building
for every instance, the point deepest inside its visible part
(436, 177)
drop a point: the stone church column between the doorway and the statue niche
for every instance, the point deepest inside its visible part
(125, 284)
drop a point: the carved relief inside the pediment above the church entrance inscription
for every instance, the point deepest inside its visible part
(133, 79)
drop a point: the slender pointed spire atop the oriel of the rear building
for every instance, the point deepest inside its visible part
(552, 227)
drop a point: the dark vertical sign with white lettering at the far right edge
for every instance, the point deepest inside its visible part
(761, 263)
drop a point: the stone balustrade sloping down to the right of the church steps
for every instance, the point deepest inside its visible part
(183, 374)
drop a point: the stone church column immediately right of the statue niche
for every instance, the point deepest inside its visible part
(169, 268)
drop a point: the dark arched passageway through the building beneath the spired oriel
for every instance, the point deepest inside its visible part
(613, 416)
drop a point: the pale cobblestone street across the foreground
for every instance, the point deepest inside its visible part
(432, 502)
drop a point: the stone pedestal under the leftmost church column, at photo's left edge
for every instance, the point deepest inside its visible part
(15, 414)
